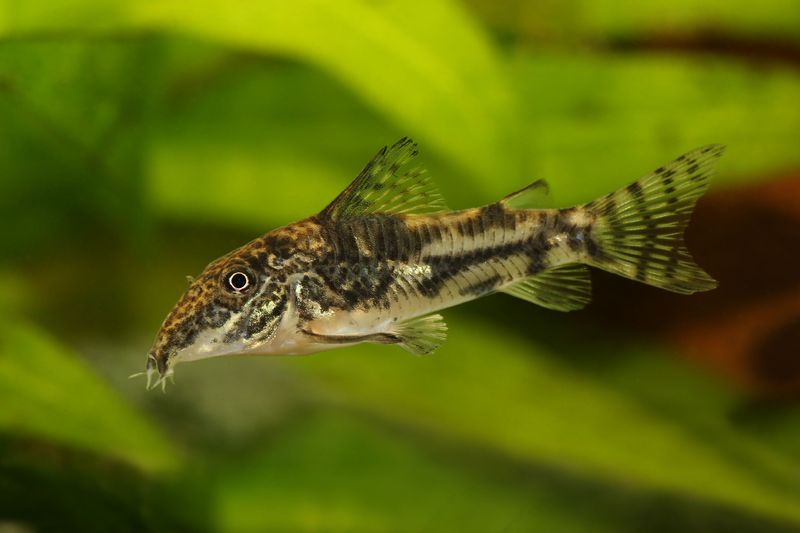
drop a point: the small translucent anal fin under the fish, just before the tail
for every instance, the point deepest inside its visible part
(566, 288)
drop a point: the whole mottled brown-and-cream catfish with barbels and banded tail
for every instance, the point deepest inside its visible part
(386, 255)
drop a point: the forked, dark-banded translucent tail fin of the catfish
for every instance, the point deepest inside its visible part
(639, 228)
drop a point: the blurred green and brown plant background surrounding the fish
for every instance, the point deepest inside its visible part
(141, 140)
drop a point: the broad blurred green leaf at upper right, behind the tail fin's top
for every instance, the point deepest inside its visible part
(600, 122)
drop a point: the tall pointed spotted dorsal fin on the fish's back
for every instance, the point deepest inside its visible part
(384, 186)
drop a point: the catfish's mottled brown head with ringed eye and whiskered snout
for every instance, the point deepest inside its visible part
(234, 307)
